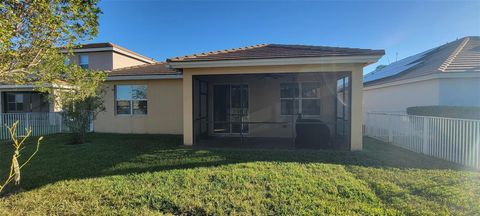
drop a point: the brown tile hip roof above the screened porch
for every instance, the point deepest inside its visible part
(269, 51)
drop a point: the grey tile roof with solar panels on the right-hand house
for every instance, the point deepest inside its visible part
(462, 55)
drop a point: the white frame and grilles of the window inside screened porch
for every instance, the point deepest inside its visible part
(299, 99)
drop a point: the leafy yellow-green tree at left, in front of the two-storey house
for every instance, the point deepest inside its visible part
(36, 37)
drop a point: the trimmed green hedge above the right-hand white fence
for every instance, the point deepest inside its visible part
(446, 111)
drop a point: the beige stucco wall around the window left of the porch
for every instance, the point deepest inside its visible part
(164, 110)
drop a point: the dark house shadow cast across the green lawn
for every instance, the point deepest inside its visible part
(120, 154)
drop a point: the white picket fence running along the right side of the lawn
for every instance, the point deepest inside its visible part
(456, 140)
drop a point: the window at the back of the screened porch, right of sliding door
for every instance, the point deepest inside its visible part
(300, 98)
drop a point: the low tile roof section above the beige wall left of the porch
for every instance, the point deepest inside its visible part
(158, 68)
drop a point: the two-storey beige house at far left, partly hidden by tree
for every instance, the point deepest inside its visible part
(99, 56)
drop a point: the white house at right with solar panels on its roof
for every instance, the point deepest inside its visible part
(448, 75)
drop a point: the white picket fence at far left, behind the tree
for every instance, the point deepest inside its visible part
(41, 123)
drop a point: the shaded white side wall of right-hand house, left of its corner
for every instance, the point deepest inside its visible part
(397, 98)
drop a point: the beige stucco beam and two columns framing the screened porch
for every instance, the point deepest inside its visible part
(357, 83)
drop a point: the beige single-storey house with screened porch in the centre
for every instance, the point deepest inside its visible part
(254, 92)
